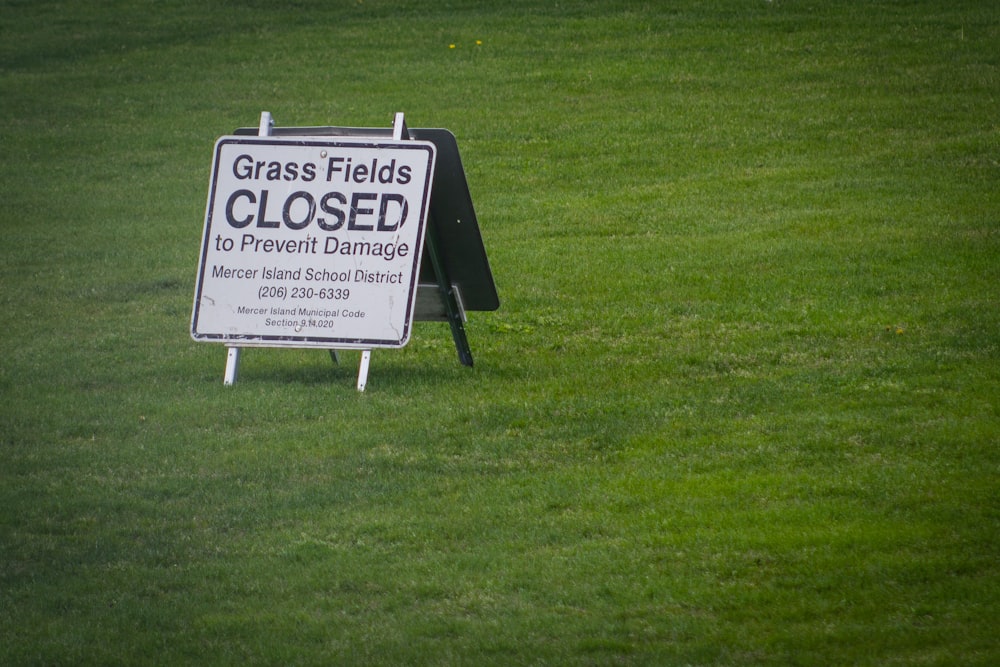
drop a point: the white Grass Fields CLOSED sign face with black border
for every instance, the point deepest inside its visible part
(312, 242)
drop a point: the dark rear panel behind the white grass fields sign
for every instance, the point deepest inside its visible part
(452, 216)
